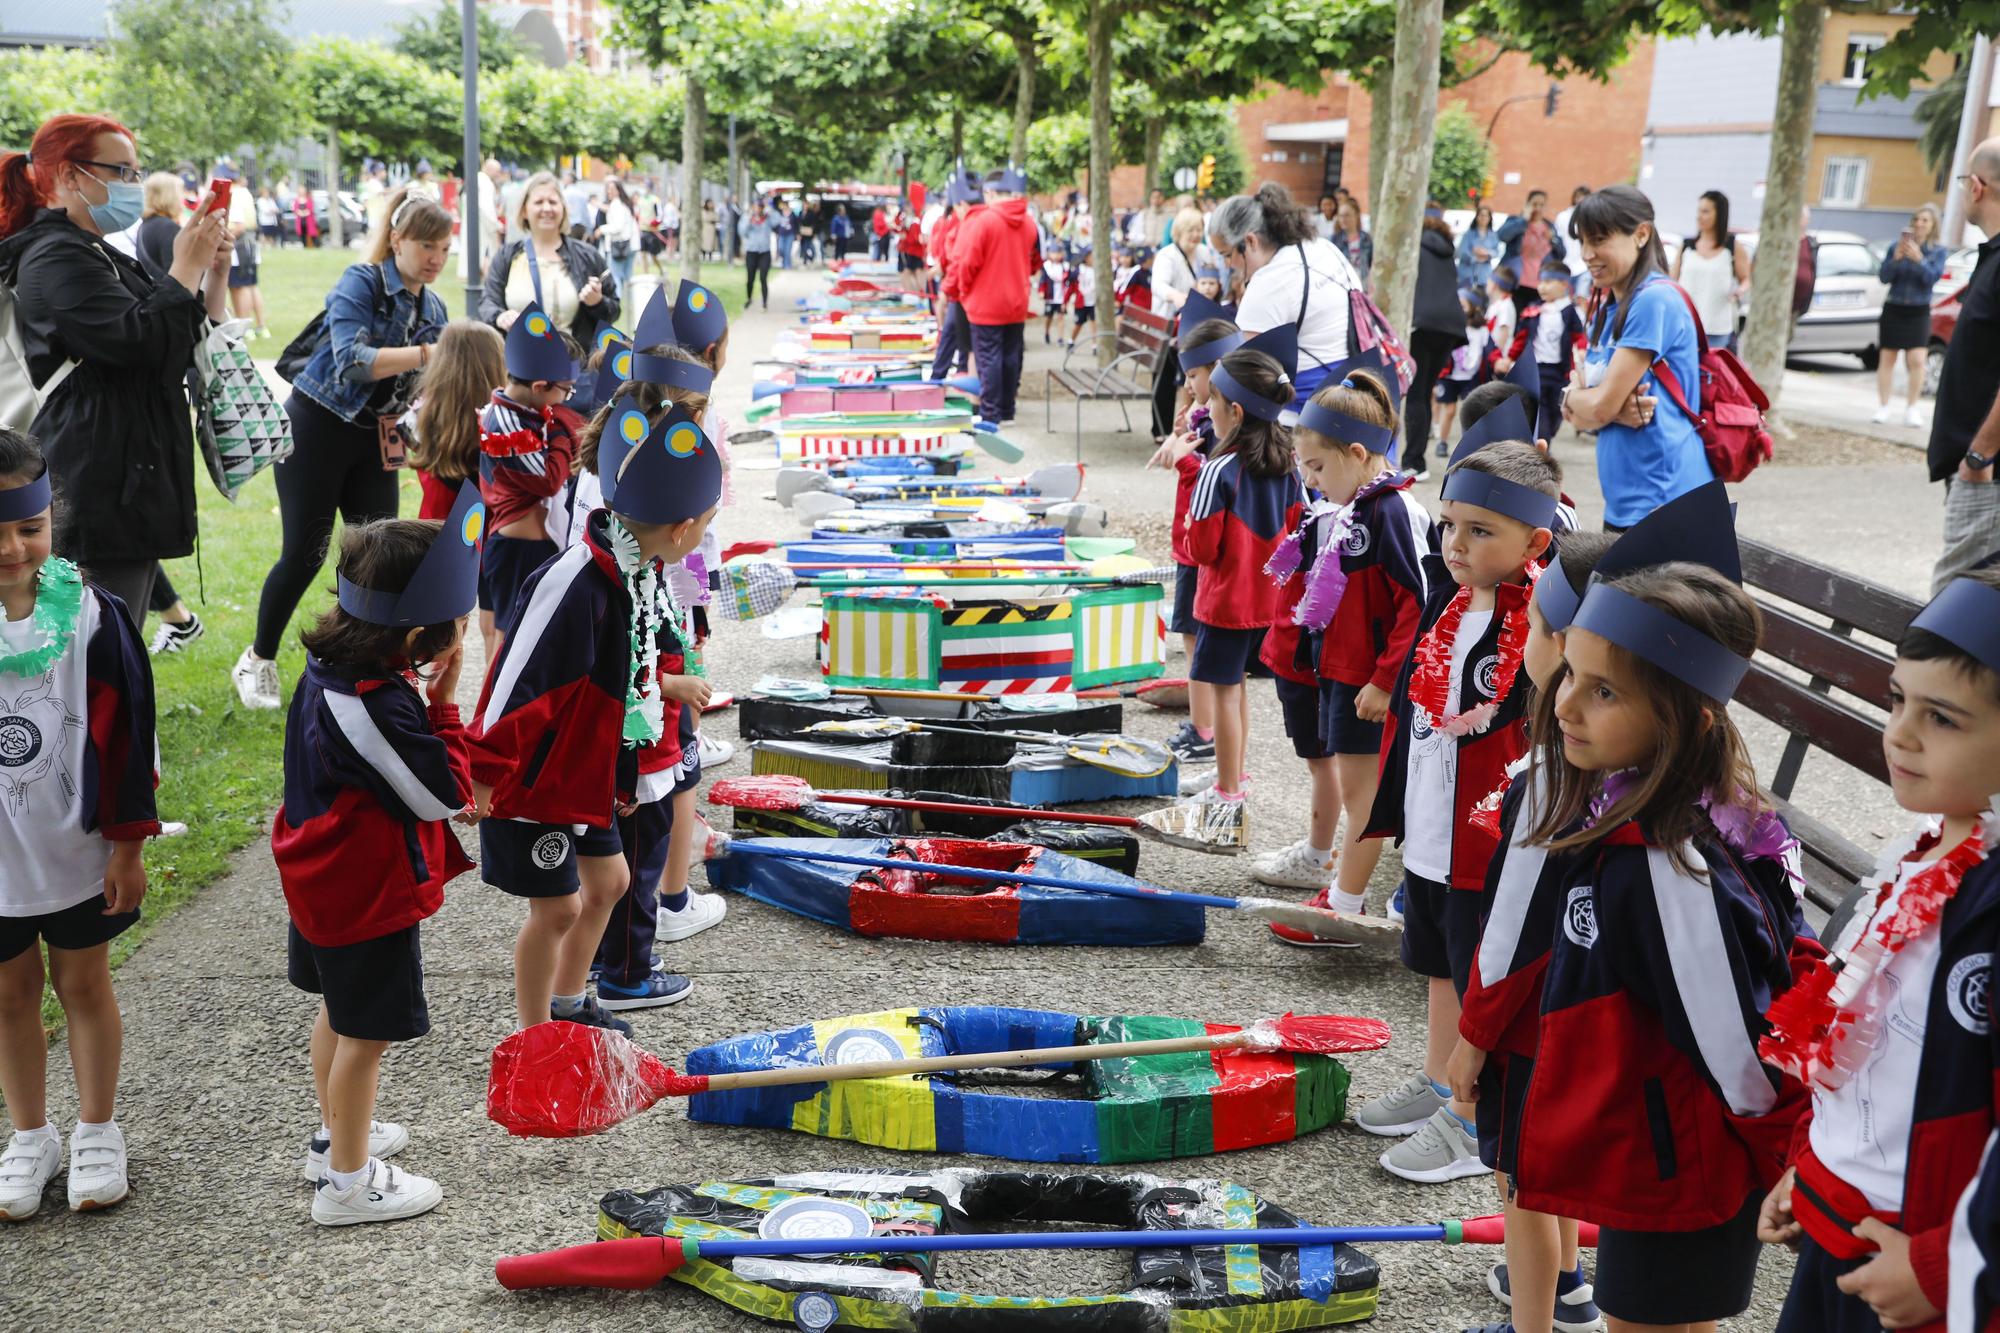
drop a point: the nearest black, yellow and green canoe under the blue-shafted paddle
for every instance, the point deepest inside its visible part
(1173, 1290)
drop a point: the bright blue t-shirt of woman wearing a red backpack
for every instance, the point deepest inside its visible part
(1643, 469)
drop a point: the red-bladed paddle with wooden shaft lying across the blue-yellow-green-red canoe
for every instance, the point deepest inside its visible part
(569, 1080)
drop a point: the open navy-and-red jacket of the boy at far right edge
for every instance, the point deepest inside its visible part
(1955, 1116)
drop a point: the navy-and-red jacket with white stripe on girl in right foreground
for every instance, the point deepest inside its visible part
(1649, 1108)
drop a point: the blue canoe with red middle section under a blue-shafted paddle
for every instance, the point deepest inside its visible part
(927, 906)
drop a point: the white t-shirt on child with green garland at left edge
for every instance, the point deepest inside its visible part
(49, 862)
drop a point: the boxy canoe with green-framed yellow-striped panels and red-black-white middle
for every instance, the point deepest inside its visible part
(987, 645)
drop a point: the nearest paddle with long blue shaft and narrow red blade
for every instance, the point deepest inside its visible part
(635, 1264)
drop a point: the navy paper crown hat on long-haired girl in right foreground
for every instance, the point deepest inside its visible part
(1663, 639)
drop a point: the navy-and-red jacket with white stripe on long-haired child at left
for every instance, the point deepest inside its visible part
(371, 778)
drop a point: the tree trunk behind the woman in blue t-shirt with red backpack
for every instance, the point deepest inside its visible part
(1785, 193)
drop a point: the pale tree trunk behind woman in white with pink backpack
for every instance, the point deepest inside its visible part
(1407, 173)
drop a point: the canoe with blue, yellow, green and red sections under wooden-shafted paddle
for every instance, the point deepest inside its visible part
(1123, 1110)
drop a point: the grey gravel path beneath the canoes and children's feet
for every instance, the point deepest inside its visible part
(217, 1092)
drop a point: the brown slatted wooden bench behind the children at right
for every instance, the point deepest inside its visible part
(1831, 647)
